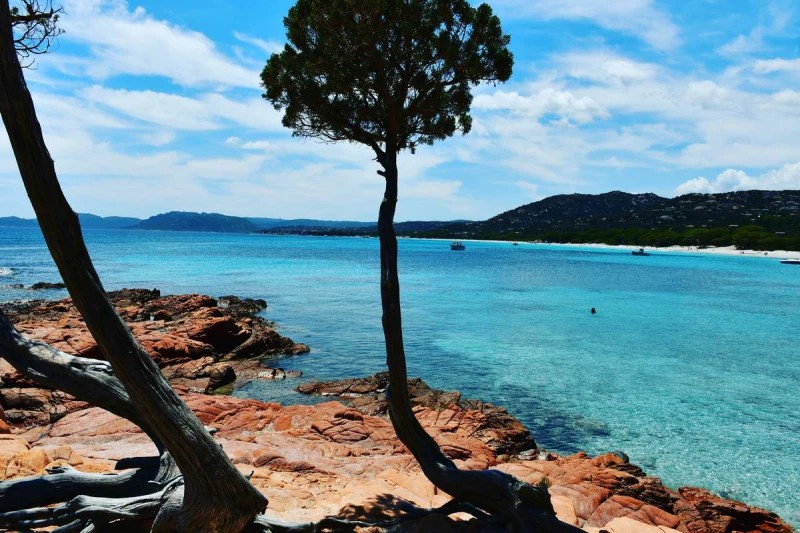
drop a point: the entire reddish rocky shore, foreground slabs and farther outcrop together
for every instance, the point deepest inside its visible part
(335, 458)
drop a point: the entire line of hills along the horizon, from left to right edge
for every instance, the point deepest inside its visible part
(752, 220)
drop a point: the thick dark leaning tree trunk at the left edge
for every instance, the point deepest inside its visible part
(217, 497)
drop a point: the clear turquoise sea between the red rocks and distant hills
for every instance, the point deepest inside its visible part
(691, 365)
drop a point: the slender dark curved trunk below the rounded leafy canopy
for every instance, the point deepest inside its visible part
(524, 507)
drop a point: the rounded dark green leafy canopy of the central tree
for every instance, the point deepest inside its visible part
(390, 74)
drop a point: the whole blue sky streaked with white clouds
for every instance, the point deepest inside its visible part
(153, 106)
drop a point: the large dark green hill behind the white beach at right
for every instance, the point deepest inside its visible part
(759, 220)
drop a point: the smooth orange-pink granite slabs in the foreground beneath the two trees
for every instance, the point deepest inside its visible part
(313, 461)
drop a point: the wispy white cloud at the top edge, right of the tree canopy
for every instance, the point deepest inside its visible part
(635, 17)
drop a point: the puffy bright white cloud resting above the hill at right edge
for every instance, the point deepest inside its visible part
(785, 177)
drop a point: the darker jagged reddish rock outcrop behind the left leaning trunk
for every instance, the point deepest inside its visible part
(198, 342)
